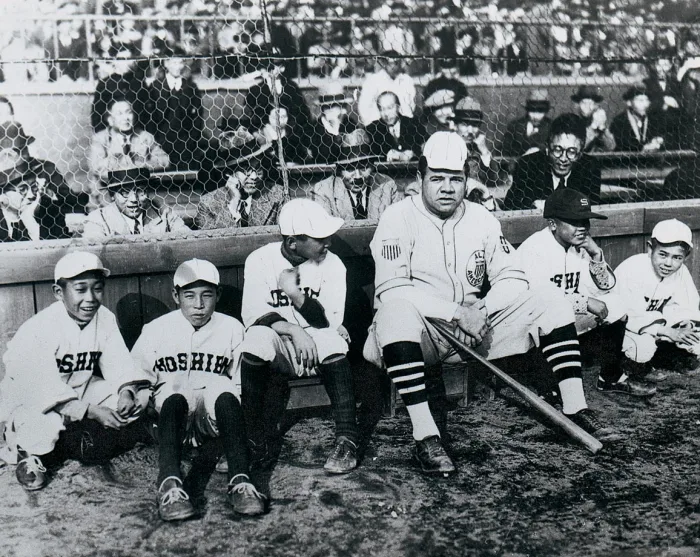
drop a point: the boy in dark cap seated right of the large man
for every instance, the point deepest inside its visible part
(564, 254)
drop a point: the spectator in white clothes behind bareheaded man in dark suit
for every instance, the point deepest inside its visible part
(390, 77)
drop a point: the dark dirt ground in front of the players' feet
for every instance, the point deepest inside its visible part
(522, 490)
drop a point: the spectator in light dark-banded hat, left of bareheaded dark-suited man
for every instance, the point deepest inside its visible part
(332, 124)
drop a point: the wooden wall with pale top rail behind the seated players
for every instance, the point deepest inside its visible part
(140, 286)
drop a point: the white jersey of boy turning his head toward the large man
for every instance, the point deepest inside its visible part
(324, 282)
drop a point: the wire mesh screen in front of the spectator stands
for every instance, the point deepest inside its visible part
(154, 118)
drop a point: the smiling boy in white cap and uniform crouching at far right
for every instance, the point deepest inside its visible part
(663, 300)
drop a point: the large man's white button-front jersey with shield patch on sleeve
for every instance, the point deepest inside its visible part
(445, 262)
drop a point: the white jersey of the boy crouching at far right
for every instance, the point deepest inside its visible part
(650, 298)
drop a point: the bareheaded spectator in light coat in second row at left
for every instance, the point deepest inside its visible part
(122, 145)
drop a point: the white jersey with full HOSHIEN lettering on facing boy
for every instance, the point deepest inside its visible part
(171, 348)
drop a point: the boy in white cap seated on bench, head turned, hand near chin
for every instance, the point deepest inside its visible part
(293, 305)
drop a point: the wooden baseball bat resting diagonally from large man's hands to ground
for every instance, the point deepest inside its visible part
(574, 431)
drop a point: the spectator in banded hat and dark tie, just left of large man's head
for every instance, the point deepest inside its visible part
(356, 191)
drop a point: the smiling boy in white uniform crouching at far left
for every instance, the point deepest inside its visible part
(70, 387)
